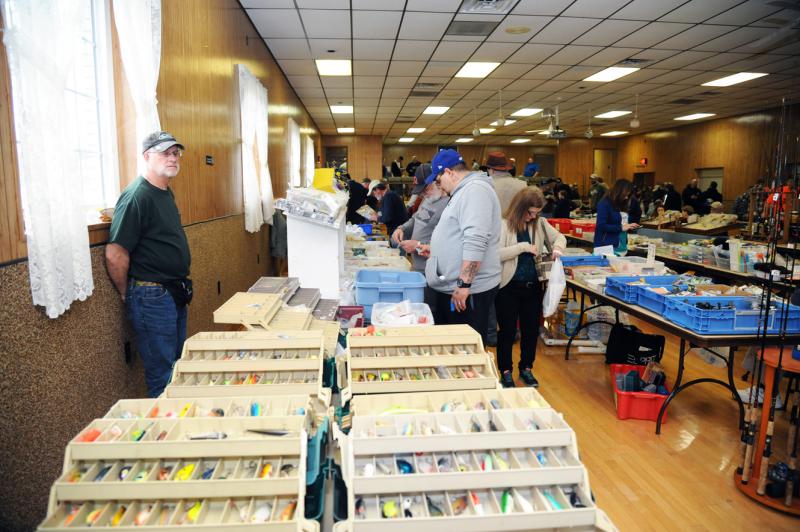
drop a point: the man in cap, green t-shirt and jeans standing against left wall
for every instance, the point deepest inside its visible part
(148, 260)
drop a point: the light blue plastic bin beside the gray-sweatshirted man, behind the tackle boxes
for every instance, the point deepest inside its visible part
(386, 286)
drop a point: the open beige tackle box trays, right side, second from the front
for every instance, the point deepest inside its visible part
(413, 359)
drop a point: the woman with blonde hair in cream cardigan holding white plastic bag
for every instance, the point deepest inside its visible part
(524, 238)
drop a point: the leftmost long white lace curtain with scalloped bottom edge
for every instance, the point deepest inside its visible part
(41, 39)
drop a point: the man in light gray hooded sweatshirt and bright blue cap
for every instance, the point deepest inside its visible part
(464, 265)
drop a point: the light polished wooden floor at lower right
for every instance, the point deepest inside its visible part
(681, 480)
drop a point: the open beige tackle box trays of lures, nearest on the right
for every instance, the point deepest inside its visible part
(480, 468)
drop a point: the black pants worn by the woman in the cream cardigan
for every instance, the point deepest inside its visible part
(523, 302)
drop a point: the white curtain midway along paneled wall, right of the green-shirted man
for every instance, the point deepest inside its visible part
(256, 181)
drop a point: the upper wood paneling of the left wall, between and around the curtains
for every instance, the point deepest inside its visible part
(202, 40)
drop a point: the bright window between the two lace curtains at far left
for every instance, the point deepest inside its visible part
(90, 89)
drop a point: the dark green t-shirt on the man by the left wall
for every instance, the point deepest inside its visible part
(147, 223)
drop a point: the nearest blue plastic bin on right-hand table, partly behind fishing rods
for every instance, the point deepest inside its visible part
(741, 320)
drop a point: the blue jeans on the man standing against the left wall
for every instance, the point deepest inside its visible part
(160, 329)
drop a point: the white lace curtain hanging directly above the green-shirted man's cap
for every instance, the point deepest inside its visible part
(138, 25)
